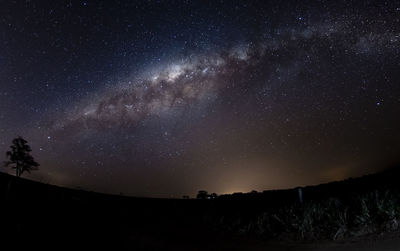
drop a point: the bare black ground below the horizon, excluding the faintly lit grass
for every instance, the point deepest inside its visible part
(39, 215)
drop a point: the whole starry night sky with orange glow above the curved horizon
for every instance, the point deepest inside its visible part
(164, 98)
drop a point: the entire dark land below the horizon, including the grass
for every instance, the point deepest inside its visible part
(39, 215)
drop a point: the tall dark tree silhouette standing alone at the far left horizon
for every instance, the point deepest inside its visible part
(20, 158)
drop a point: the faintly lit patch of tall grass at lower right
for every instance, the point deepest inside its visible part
(333, 218)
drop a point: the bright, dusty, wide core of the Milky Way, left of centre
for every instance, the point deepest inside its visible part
(168, 91)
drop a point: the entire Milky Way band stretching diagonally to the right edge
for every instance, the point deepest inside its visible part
(198, 79)
